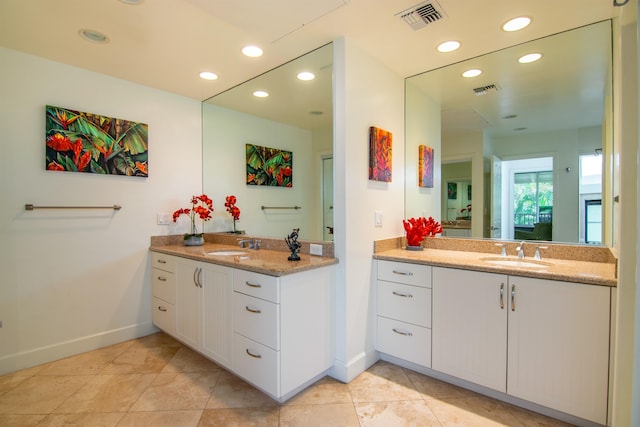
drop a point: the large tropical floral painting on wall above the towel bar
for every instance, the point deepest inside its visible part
(85, 142)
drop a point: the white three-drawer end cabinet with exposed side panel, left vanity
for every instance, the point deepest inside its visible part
(283, 326)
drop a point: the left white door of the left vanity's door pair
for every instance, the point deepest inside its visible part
(189, 278)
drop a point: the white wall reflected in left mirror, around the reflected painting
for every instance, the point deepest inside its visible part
(226, 133)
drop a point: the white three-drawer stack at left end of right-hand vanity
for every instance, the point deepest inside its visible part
(404, 311)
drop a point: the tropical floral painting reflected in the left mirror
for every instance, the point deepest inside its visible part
(269, 166)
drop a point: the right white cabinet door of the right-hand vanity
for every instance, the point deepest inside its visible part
(559, 346)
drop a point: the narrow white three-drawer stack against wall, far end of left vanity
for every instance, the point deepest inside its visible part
(163, 292)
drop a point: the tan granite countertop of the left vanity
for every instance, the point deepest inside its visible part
(265, 261)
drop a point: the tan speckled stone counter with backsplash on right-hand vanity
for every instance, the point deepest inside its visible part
(574, 263)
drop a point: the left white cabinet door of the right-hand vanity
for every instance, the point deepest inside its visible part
(469, 326)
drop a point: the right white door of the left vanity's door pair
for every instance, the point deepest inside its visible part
(217, 295)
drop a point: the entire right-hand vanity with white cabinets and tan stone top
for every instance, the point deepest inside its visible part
(532, 332)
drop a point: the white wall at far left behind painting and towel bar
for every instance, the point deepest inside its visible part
(71, 281)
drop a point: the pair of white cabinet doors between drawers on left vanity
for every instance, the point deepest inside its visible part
(203, 308)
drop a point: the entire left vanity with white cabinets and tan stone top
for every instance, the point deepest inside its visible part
(267, 319)
